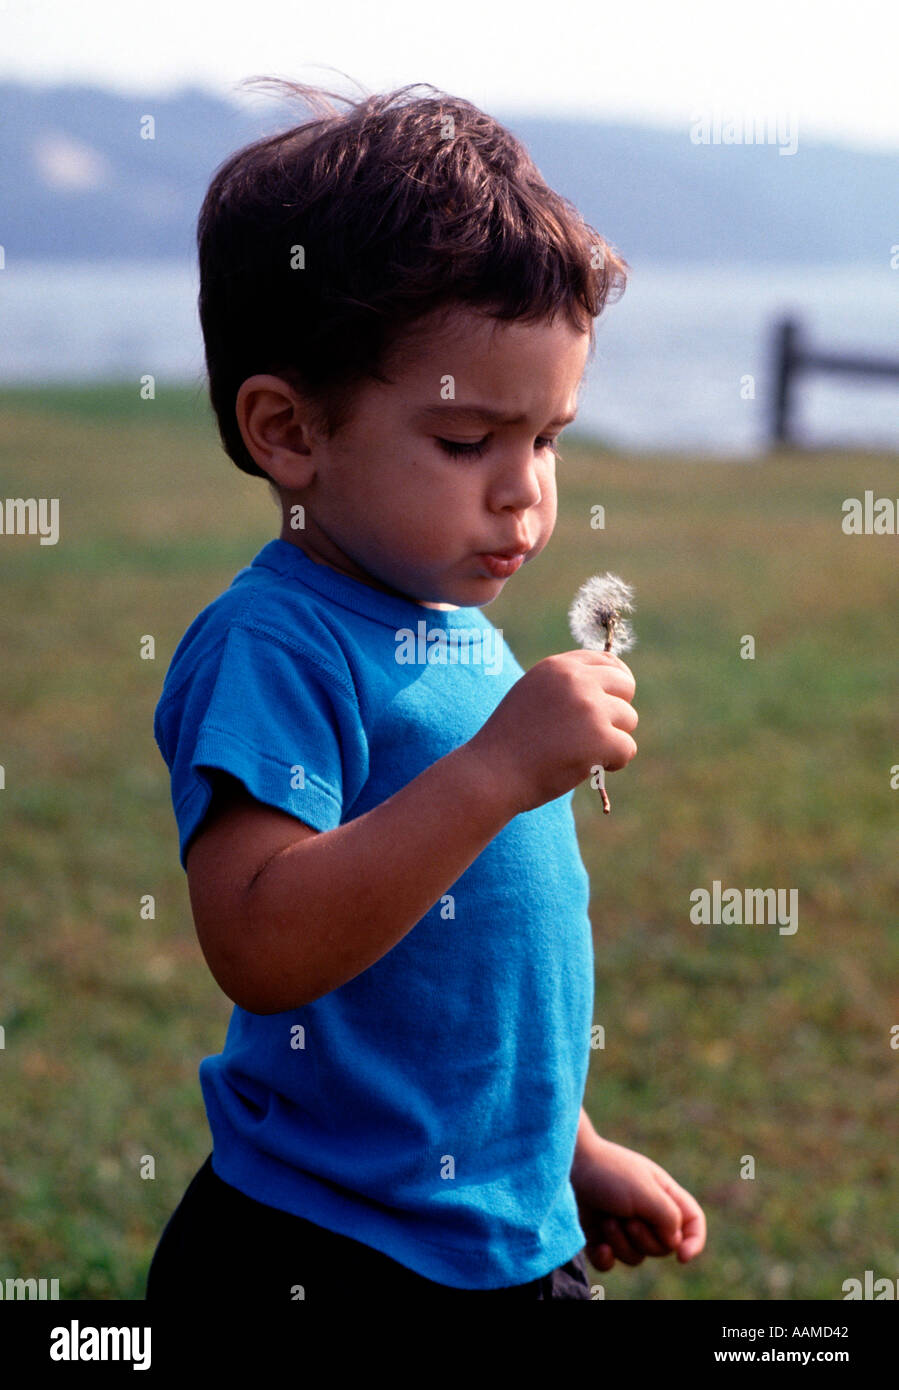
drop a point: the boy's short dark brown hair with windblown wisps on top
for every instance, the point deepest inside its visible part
(322, 247)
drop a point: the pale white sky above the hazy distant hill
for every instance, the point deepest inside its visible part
(827, 67)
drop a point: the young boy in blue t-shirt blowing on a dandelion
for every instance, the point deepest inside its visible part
(373, 799)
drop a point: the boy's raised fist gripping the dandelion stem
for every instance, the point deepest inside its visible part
(568, 715)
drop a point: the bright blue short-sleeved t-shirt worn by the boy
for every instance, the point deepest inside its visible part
(429, 1107)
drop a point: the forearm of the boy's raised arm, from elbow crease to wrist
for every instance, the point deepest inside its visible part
(330, 907)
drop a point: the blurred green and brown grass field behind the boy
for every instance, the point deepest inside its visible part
(722, 1042)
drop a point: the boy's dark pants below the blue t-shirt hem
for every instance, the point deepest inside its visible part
(223, 1245)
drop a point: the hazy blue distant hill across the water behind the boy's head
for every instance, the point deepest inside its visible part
(79, 183)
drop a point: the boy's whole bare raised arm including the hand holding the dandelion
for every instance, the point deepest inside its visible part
(287, 914)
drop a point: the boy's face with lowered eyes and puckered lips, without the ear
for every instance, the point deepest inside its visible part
(393, 507)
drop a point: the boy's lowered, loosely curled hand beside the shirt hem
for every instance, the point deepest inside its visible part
(629, 1209)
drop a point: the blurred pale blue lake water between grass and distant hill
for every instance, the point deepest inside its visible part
(670, 369)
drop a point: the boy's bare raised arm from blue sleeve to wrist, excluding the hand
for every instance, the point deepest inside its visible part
(286, 914)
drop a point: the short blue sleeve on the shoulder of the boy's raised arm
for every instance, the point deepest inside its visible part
(273, 715)
